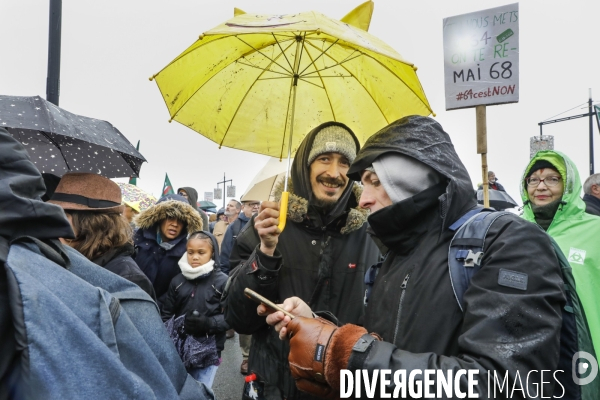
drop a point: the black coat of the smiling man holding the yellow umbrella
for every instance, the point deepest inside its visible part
(321, 259)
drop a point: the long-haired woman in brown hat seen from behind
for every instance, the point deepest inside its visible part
(92, 204)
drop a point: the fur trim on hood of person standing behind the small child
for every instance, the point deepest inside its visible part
(170, 209)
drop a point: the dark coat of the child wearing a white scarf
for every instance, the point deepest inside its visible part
(202, 294)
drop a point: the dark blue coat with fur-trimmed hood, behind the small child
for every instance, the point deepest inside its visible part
(154, 259)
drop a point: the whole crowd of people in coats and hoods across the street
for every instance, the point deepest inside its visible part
(362, 264)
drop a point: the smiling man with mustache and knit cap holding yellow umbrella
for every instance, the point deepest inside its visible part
(321, 256)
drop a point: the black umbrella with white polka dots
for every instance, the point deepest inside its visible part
(59, 141)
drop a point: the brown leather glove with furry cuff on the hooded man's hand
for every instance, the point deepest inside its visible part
(318, 351)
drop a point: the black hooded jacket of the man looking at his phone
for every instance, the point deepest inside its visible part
(412, 304)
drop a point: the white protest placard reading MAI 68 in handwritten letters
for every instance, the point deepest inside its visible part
(481, 57)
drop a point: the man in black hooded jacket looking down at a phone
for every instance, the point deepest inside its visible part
(419, 191)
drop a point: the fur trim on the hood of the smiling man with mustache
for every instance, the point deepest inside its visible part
(298, 207)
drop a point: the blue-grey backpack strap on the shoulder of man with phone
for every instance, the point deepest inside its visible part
(466, 251)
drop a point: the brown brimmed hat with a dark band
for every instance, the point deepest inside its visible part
(87, 192)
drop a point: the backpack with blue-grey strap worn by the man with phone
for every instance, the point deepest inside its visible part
(464, 260)
